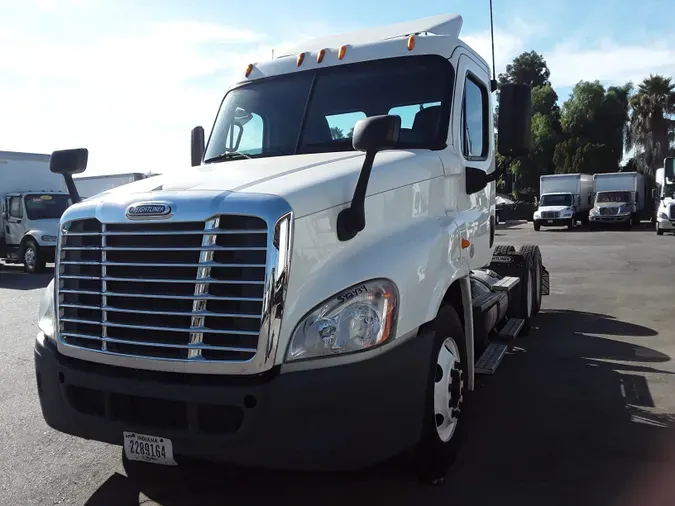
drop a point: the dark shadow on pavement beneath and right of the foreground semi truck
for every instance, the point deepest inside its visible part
(565, 420)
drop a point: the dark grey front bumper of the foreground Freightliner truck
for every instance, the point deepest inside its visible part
(335, 418)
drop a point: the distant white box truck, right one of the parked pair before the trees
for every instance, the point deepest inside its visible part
(619, 199)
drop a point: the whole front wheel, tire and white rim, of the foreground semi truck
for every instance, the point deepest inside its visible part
(442, 424)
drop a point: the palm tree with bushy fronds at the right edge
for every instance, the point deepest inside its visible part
(651, 129)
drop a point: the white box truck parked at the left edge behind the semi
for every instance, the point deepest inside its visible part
(32, 200)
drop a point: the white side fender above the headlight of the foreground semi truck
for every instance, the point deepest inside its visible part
(421, 256)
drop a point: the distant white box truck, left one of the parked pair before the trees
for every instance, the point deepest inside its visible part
(565, 199)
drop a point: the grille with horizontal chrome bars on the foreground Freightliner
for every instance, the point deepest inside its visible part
(177, 291)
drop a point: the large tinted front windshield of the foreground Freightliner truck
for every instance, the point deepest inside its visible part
(315, 111)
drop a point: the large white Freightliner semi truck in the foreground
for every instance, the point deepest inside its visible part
(300, 300)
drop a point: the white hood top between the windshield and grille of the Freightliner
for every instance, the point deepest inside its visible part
(310, 183)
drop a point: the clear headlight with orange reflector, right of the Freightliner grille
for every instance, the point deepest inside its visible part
(357, 319)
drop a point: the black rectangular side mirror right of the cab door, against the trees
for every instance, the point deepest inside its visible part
(515, 120)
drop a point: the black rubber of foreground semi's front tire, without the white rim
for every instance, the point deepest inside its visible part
(435, 456)
